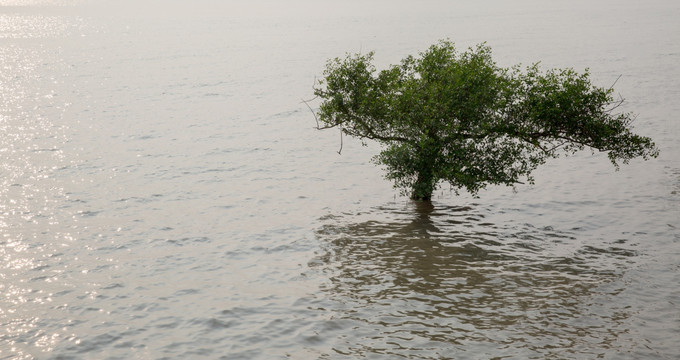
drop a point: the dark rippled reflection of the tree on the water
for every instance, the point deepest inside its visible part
(415, 283)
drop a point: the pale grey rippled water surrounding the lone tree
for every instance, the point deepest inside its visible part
(164, 194)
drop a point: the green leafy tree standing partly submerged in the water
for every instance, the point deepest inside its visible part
(460, 118)
